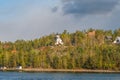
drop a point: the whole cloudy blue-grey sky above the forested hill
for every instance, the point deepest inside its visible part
(31, 19)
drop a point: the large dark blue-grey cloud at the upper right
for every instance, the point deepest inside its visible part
(83, 7)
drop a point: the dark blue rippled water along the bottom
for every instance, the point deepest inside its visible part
(58, 76)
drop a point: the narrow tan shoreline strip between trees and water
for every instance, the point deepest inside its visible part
(62, 70)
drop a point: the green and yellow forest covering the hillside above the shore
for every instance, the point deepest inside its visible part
(79, 51)
